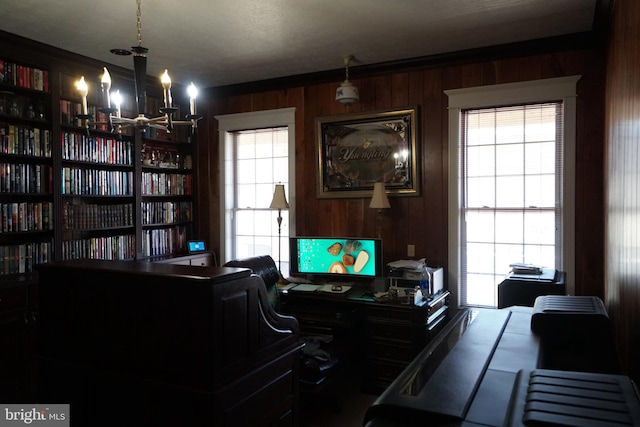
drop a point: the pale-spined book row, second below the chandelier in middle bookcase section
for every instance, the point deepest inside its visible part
(96, 182)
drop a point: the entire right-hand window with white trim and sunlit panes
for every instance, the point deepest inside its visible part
(511, 183)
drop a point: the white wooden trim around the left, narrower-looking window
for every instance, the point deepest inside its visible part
(255, 120)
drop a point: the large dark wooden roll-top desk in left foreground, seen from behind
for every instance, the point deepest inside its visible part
(139, 343)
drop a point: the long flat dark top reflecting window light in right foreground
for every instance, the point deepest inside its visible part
(465, 376)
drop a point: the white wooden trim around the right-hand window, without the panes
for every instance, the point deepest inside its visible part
(561, 88)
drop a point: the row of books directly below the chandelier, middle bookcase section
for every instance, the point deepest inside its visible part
(97, 149)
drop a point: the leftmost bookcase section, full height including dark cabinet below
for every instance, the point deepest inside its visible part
(27, 220)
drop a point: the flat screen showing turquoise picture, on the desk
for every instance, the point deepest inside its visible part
(348, 258)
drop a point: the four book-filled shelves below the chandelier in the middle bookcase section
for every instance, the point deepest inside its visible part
(98, 196)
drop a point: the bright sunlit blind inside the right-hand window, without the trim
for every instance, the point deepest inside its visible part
(511, 187)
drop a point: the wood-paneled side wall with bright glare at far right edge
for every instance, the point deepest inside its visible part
(622, 278)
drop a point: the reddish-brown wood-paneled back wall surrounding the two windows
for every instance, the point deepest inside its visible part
(421, 221)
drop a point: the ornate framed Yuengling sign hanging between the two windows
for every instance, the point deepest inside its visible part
(357, 150)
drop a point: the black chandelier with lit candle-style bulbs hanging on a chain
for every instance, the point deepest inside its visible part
(111, 102)
